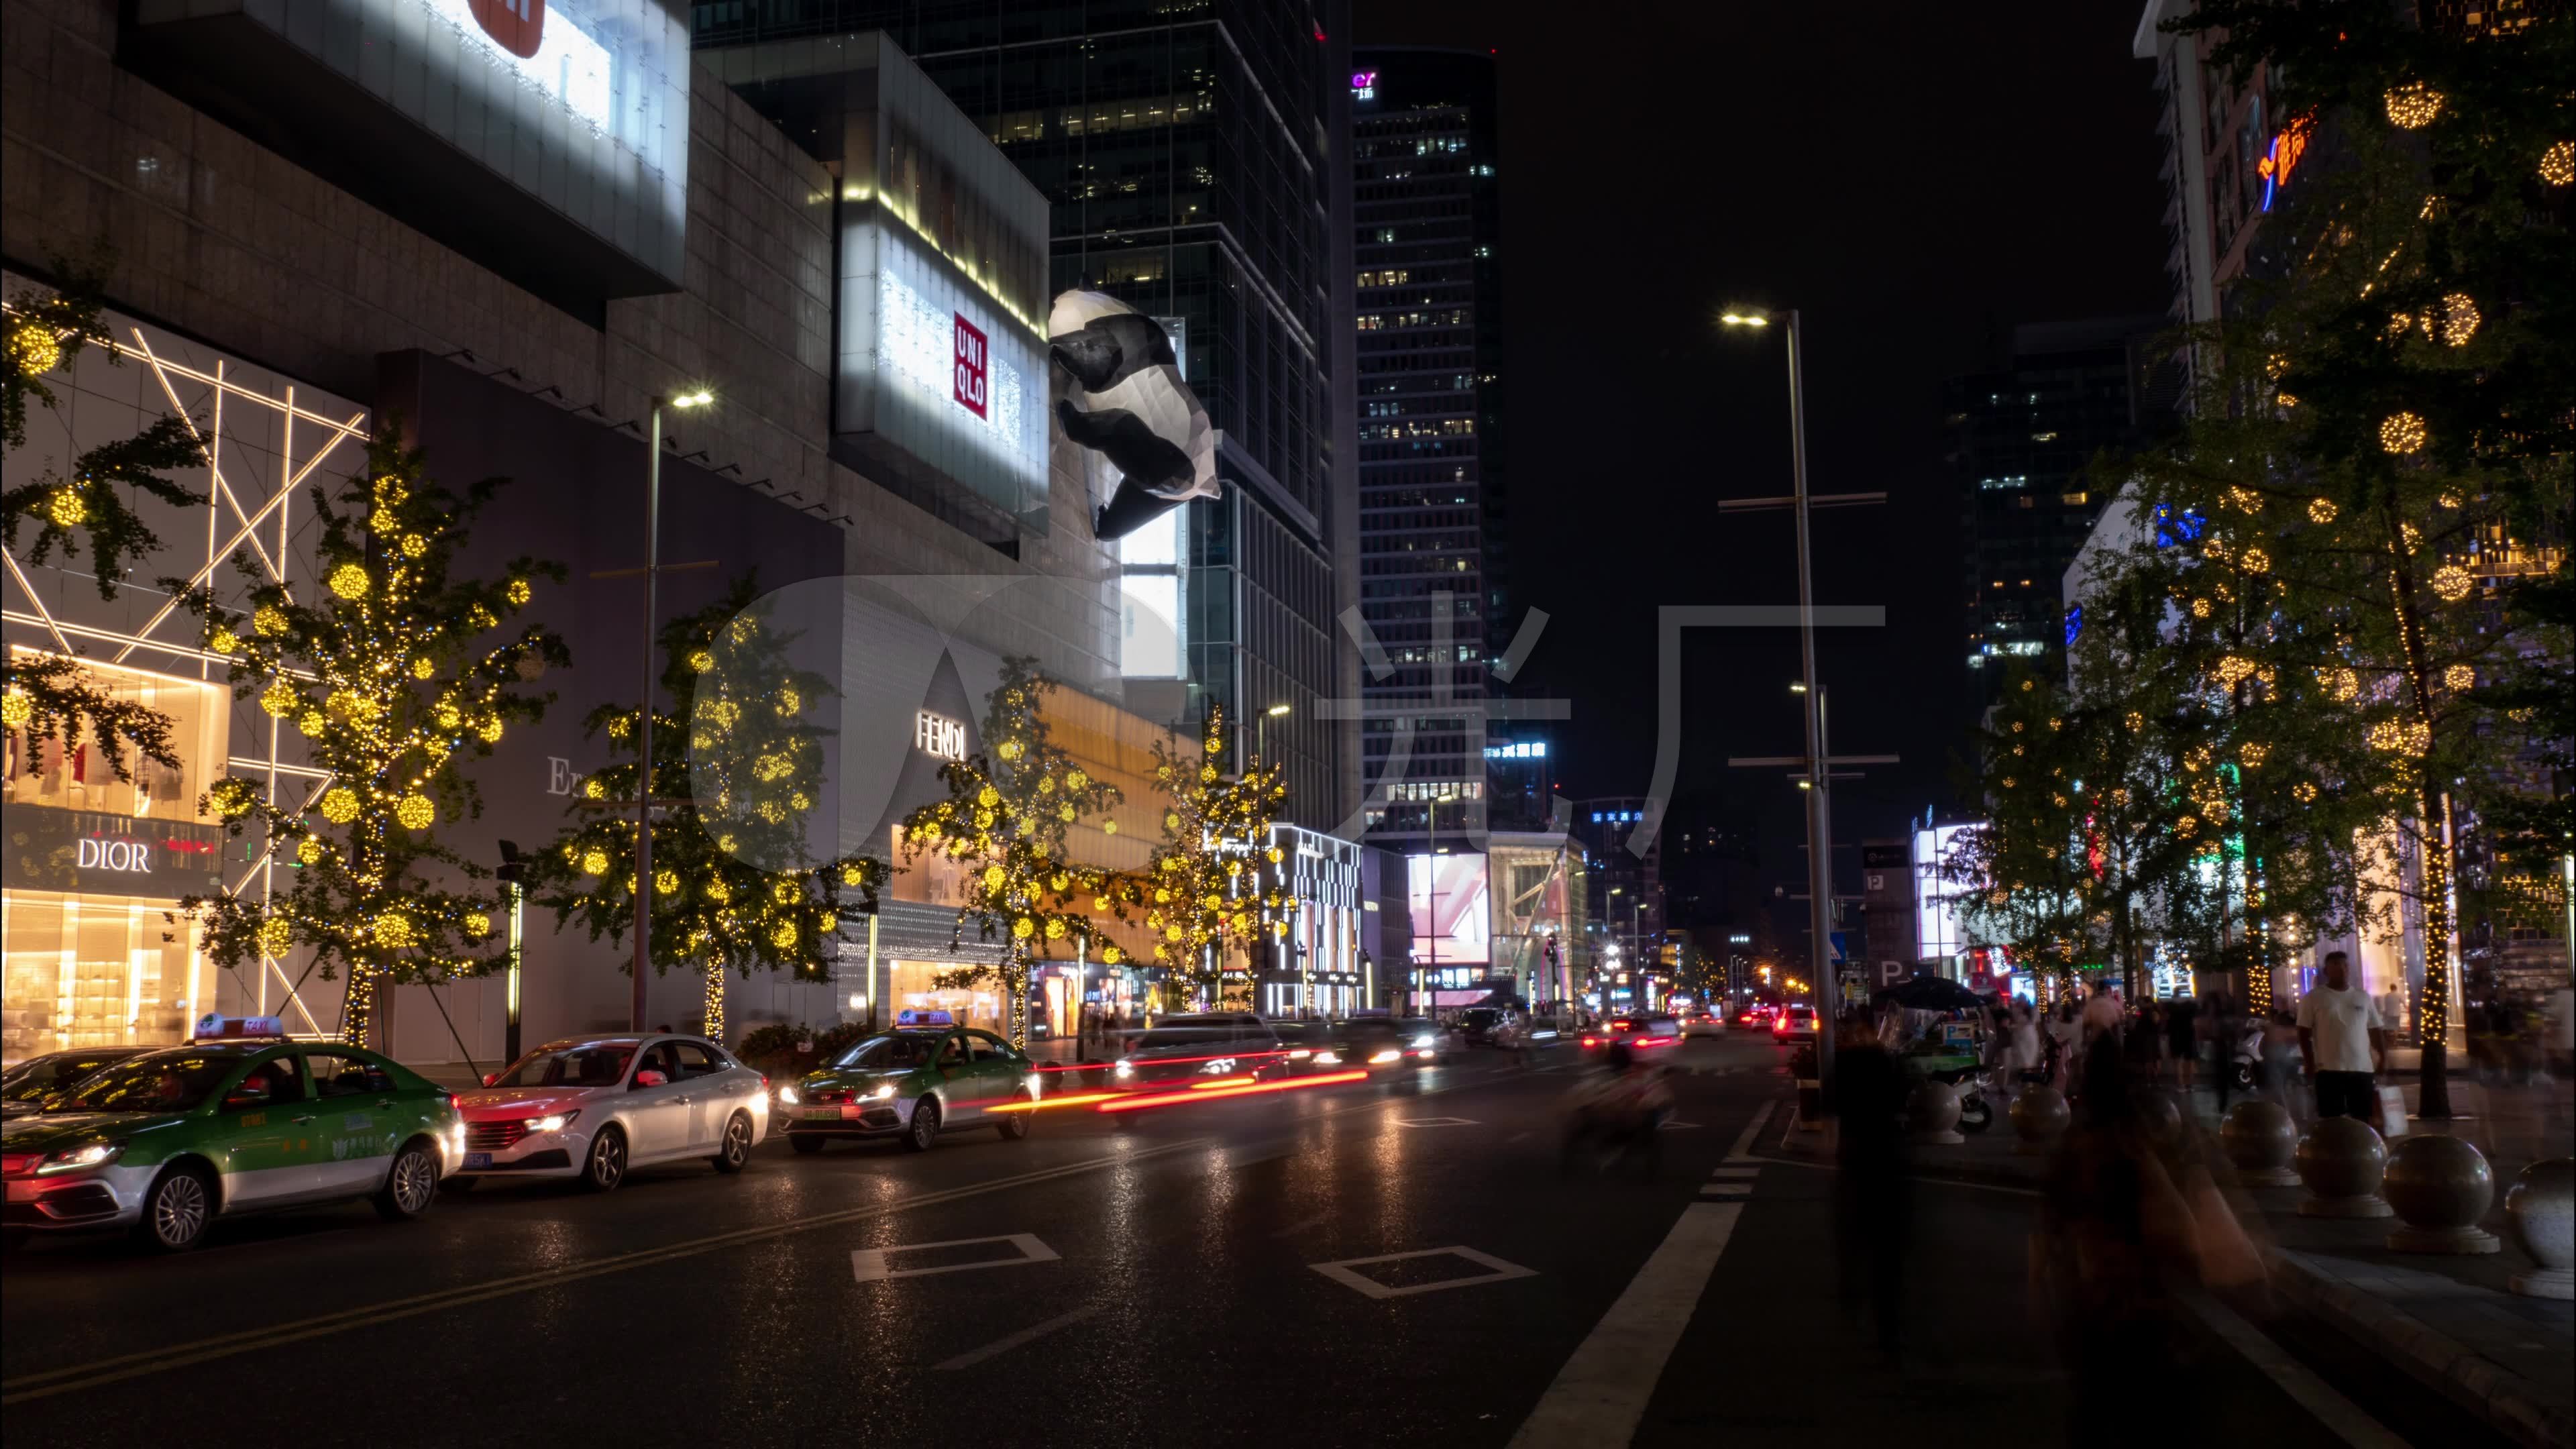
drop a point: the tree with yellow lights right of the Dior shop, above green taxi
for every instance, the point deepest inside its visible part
(395, 674)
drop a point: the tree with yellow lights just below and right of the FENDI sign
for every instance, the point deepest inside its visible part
(1006, 824)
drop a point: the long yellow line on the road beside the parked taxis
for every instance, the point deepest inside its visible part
(48, 1383)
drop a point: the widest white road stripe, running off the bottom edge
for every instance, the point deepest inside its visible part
(1601, 1394)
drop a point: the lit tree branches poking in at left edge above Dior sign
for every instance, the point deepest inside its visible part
(50, 695)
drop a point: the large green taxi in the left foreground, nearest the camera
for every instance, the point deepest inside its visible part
(171, 1141)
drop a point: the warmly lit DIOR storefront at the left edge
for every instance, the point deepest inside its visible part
(91, 865)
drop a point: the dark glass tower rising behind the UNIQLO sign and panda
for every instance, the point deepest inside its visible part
(1186, 164)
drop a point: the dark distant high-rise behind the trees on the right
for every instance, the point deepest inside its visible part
(2018, 447)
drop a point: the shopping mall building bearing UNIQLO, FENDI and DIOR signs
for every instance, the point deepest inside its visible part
(509, 236)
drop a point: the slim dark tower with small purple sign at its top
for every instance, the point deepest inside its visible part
(1426, 223)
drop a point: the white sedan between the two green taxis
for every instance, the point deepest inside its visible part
(599, 1107)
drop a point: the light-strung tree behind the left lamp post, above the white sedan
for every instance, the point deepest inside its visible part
(741, 770)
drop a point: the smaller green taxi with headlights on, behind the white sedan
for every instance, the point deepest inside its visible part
(923, 1079)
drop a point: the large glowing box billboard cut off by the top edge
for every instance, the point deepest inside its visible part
(545, 141)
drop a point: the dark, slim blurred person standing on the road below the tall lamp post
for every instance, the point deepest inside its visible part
(1871, 1187)
